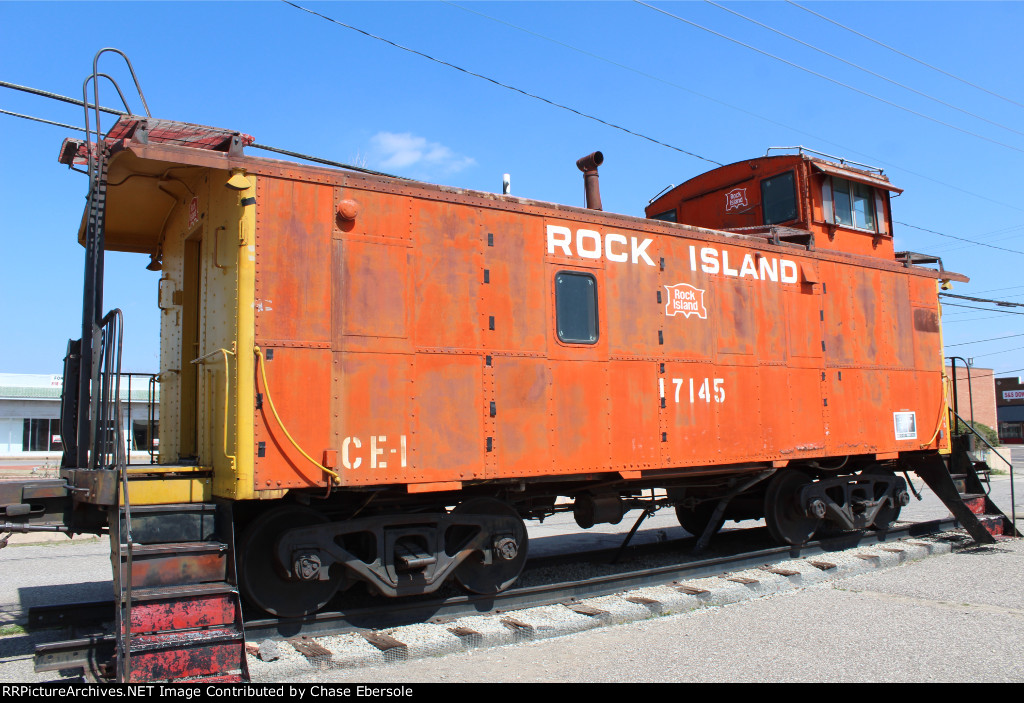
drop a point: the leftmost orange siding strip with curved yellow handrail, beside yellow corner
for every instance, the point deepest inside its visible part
(293, 322)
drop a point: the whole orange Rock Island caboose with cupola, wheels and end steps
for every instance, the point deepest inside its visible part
(369, 379)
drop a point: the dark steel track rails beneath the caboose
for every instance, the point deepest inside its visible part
(95, 651)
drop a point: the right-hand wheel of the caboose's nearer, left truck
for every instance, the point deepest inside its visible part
(509, 557)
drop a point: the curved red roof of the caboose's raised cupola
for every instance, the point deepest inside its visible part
(741, 171)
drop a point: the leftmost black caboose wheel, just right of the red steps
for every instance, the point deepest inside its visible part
(263, 580)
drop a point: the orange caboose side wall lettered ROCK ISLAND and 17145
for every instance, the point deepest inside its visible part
(417, 343)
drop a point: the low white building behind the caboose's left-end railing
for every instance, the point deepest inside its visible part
(30, 416)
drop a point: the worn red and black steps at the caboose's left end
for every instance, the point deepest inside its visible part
(180, 616)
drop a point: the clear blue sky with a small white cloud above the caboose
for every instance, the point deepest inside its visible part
(298, 82)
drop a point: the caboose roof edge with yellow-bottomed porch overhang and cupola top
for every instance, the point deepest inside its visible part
(156, 168)
